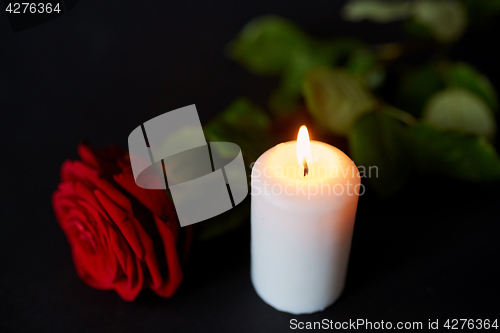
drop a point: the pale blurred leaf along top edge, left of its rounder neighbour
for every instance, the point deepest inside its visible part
(376, 10)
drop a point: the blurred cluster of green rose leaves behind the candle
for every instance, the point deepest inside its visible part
(438, 117)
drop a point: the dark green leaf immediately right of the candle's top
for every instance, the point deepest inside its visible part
(378, 140)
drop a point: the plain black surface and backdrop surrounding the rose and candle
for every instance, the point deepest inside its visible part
(103, 68)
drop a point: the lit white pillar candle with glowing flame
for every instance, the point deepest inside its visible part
(304, 199)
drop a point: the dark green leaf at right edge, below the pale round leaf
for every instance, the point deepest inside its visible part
(452, 153)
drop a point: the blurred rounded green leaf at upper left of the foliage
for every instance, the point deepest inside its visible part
(265, 44)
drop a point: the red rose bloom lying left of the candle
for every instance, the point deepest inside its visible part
(122, 237)
